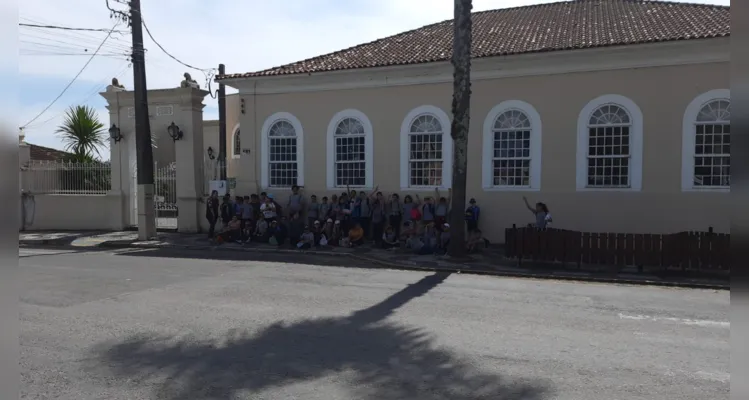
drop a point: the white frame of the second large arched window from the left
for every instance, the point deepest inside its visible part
(368, 148)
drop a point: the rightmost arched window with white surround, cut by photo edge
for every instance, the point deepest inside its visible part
(707, 142)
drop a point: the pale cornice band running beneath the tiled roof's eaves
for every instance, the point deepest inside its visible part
(685, 52)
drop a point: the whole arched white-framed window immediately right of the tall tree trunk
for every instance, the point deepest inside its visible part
(512, 147)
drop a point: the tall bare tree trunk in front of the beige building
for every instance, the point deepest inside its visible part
(461, 61)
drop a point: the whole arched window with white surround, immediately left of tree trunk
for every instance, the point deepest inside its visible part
(426, 149)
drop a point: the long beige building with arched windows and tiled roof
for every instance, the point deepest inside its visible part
(616, 113)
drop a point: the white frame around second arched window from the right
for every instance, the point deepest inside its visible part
(635, 143)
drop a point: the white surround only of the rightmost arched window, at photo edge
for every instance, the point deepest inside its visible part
(688, 139)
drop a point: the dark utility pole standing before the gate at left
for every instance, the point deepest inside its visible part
(146, 212)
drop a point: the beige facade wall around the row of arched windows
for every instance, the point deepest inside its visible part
(662, 93)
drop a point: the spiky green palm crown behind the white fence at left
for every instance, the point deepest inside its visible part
(82, 132)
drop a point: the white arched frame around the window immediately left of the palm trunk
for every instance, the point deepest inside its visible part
(447, 148)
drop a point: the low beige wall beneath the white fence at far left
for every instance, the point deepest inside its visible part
(74, 212)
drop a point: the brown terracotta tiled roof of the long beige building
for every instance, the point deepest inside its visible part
(568, 25)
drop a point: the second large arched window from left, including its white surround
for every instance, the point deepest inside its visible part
(350, 150)
